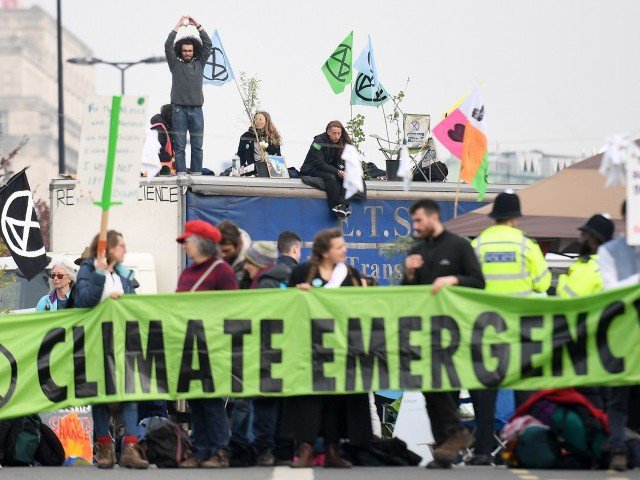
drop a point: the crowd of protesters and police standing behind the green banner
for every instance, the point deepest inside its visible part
(500, 259)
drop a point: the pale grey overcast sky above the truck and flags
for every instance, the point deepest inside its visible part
(558, 75)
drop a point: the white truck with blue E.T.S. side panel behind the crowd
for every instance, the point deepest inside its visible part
(262, 206)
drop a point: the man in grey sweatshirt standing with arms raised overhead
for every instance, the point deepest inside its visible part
(187, 59)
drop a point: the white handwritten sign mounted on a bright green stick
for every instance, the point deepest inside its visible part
(98, 140)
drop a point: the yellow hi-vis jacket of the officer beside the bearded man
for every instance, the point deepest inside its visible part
(511, 262)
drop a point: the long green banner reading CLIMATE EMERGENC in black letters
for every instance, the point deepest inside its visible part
(289, 342)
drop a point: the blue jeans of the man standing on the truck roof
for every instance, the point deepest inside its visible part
(185, 118)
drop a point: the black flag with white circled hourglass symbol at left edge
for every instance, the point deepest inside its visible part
(19, 226)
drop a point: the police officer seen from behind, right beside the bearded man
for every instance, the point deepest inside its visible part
(511, 264)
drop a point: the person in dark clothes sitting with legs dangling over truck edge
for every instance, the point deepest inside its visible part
(323, 160)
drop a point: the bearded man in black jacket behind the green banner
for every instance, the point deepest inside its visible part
(441, 259)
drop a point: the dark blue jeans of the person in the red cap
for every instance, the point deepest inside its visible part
(209, 426)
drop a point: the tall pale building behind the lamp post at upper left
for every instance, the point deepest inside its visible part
(29, 93)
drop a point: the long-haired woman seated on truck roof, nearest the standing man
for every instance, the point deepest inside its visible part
(269, 140)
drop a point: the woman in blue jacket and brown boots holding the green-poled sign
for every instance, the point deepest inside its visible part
(101, 277)
